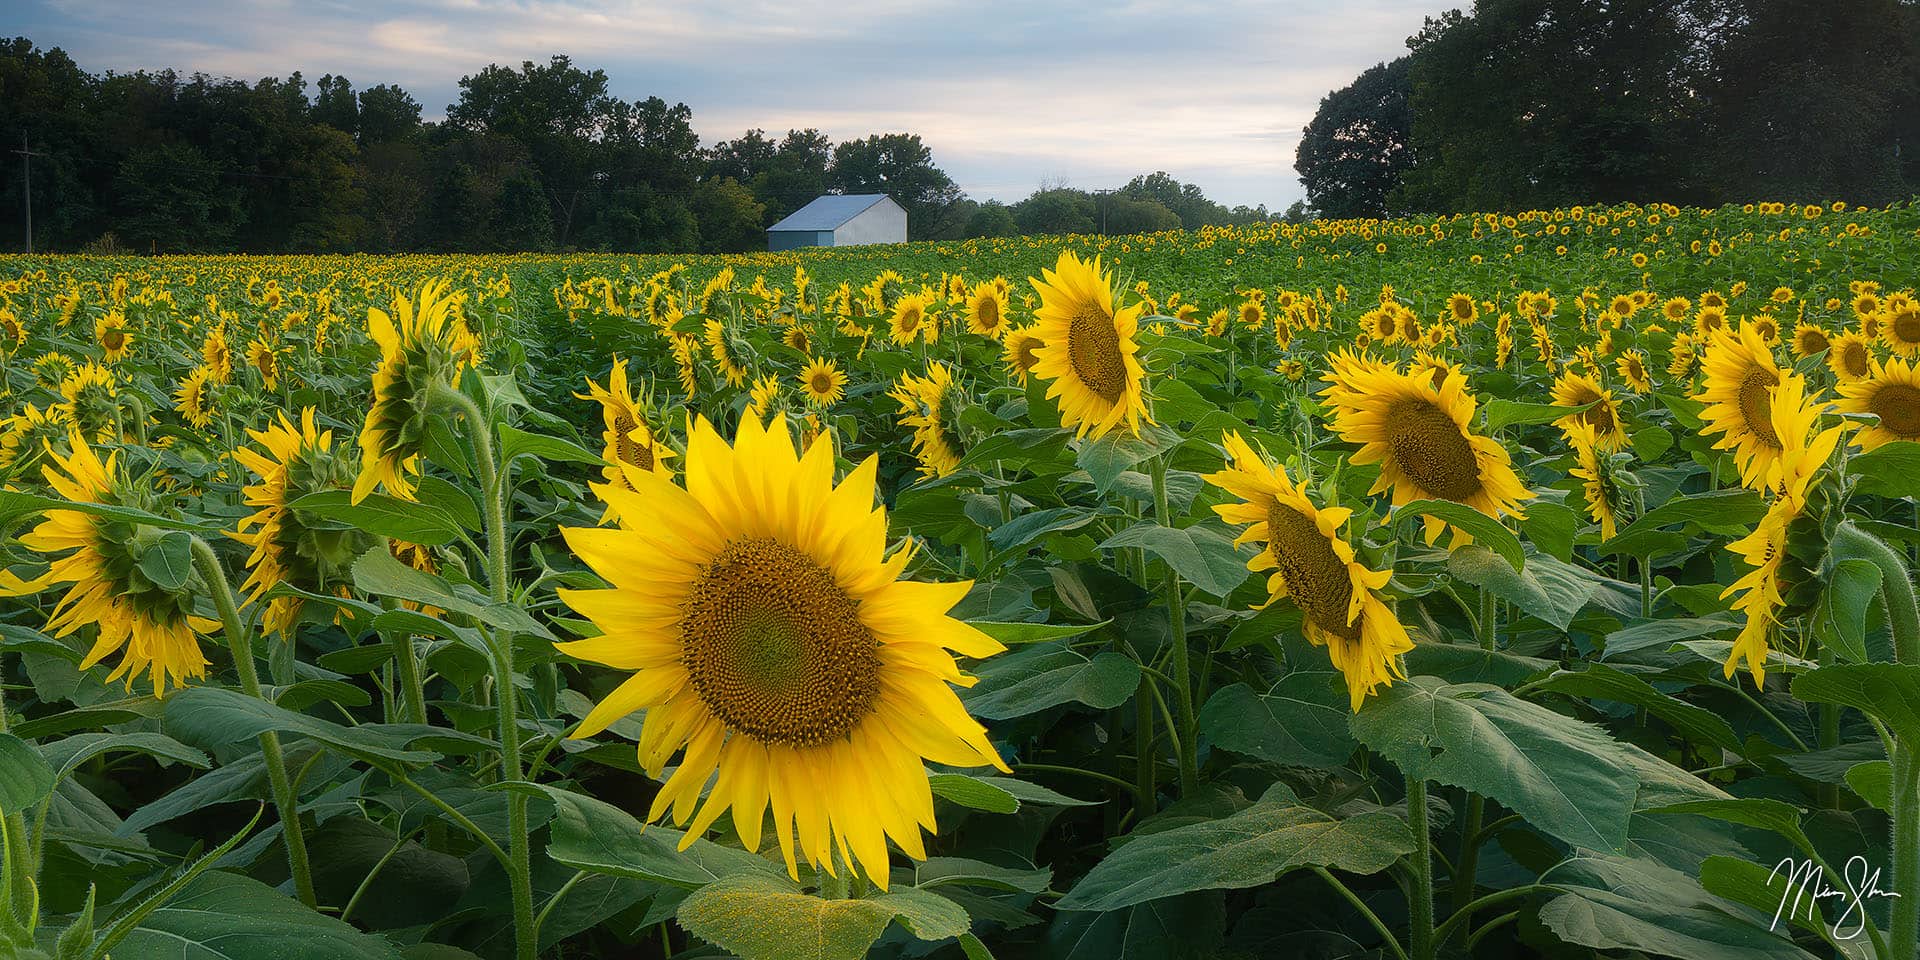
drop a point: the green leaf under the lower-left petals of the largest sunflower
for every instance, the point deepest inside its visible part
(602, 838)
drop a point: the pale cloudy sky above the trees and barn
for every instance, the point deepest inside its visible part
(1007, 93)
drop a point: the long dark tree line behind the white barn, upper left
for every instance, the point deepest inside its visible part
(529, 158)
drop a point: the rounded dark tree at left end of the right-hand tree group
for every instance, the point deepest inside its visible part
(1355, 153)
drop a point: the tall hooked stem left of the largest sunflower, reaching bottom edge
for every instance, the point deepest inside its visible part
(506, 694)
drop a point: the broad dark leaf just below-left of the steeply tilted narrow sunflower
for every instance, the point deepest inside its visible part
(1299, 723)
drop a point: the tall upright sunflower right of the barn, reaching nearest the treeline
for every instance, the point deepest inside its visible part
(1088, 348)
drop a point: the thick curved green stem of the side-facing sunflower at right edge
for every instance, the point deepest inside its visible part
(1898, 596)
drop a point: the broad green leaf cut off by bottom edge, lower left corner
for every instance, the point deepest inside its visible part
(226, 917)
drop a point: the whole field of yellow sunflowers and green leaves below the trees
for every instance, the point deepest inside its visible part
(1474, 587)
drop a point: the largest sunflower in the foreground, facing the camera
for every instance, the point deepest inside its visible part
(773, 640)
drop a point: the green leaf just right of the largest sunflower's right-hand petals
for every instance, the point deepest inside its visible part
(1040, 677)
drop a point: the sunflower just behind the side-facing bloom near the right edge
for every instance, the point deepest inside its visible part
(1740, 379)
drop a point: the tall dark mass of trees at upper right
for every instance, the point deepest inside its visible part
(1524, 105)
